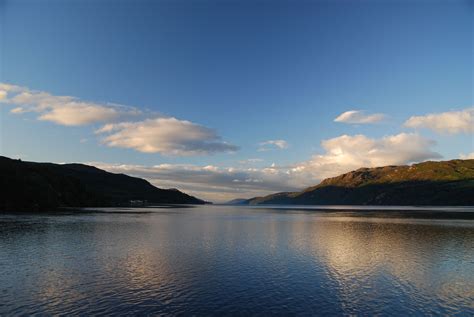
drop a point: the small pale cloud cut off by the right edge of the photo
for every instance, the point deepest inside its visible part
(446, 122)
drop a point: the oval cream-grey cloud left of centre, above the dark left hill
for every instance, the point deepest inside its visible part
(168, 136)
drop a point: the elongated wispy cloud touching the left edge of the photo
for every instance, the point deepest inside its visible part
(63, 110)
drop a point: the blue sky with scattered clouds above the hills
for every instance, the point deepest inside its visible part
(234, 99)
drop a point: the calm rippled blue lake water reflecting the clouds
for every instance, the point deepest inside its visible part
(216, 260)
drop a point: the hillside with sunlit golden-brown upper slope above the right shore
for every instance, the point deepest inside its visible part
(429, 183)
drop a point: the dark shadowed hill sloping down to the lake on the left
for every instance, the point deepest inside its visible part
(40, 186)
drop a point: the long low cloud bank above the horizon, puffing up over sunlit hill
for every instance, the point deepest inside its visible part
(341, 154)
